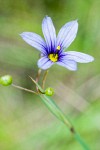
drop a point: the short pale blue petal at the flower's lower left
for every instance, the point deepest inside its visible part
(44, 63)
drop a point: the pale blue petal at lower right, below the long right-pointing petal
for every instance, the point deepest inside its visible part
(69, 64)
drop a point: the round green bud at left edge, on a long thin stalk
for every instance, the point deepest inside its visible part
(6, 80)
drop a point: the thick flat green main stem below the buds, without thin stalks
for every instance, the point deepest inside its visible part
(61, 116)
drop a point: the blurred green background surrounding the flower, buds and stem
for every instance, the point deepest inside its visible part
(25, 123)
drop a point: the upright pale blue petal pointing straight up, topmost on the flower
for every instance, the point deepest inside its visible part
(49, 33)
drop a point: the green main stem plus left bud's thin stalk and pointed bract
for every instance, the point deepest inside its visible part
(57, 112)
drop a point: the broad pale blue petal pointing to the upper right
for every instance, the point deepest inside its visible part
(67, 34)
